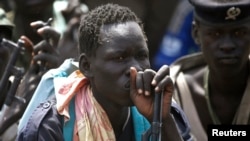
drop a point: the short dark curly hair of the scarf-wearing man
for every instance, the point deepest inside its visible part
(92, 22)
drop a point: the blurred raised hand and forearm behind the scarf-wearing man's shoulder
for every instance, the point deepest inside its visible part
(44, 57)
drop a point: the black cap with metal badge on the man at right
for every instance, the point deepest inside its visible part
(221, 11)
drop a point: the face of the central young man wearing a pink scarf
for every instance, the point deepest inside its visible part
(123, 46)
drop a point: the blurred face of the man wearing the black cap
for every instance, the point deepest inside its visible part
(226, 48)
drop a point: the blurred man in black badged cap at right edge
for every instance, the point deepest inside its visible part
(213, 86)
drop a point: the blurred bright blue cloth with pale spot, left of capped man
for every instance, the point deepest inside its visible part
(177, 40)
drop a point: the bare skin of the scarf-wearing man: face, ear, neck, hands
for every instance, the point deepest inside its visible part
(120, 76)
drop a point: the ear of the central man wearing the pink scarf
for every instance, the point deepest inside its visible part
(84, 65)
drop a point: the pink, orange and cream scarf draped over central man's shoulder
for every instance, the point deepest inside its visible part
(92, 123)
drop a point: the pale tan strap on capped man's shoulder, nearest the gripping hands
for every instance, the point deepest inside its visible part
(189, 108)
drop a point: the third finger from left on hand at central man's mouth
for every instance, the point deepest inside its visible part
(147, 79)
